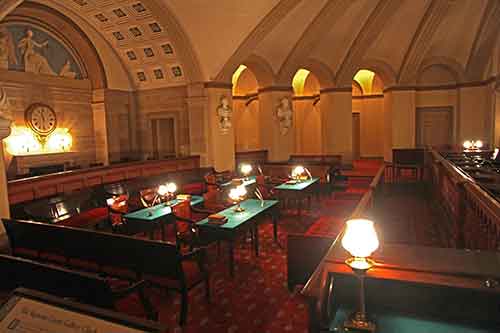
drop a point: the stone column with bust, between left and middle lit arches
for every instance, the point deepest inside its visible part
(278, 142)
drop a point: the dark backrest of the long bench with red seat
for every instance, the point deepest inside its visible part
(105, 249)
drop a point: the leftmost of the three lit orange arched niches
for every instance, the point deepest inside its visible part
(246, 109)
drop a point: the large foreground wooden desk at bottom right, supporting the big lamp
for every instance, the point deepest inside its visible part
(412, 288)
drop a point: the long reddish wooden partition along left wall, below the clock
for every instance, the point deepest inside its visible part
(32, 188)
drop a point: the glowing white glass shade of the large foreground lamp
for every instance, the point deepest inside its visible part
(360, 238)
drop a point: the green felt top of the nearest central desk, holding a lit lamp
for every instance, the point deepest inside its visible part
(252, 208)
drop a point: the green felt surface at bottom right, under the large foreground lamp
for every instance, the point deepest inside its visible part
(390, 322)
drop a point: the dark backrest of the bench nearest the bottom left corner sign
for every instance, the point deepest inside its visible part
(83, 287)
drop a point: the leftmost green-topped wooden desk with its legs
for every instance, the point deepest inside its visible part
(151, 218)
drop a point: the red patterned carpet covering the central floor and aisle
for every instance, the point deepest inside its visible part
(257, 298)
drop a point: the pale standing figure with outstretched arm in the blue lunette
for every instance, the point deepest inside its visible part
(33, 61)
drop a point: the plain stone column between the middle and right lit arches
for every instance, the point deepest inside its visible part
(336, 121)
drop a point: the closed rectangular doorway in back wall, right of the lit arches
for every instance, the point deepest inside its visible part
(434, 126)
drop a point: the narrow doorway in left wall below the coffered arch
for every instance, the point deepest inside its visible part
(163, 131)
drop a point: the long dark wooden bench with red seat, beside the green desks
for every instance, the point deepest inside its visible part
(115, 255)
